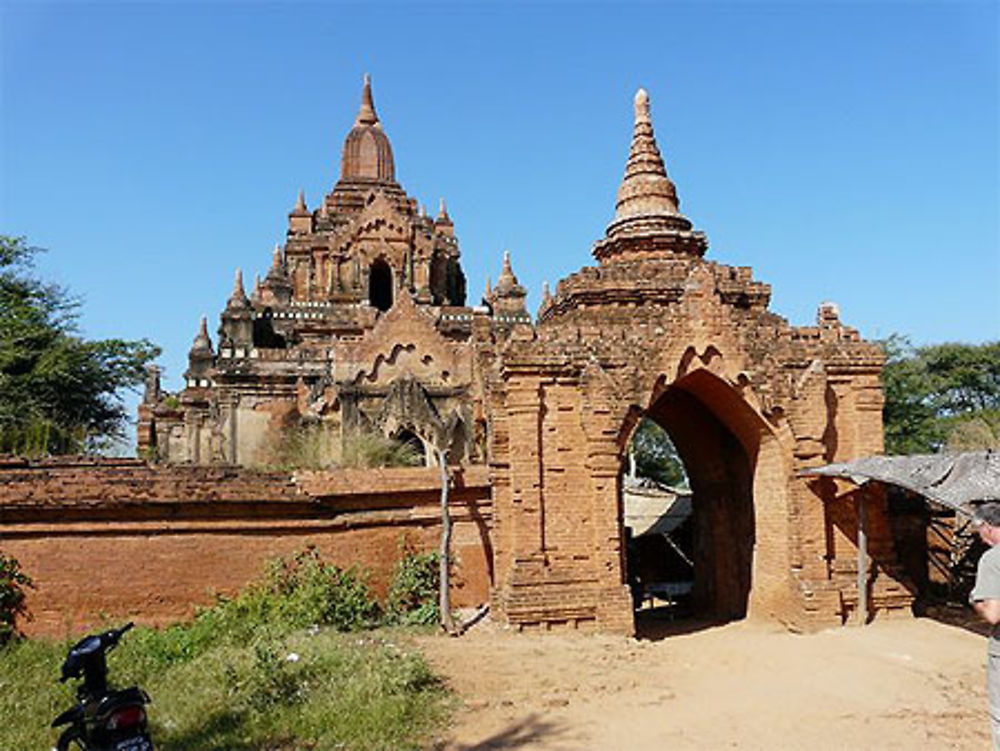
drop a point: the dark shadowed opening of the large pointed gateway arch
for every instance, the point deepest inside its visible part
(715, 441)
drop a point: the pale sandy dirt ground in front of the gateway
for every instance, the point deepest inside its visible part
(896, 684)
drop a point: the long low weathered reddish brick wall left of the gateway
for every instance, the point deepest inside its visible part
(122, 539)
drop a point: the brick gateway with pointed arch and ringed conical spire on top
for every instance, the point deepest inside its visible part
(655, 330)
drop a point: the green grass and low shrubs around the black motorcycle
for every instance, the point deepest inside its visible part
(291, 663)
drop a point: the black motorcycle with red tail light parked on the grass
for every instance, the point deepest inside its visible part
(104, 719)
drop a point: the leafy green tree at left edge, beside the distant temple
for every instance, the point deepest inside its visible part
(59, 393)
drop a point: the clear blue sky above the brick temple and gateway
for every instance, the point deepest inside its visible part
(845, 151)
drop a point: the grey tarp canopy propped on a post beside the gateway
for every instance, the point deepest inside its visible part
(953, 480)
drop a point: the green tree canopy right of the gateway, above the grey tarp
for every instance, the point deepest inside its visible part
(941, 396)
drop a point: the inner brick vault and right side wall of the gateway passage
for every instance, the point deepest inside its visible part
(732, 457)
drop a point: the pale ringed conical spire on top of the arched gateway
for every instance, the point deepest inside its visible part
(647, 214)
